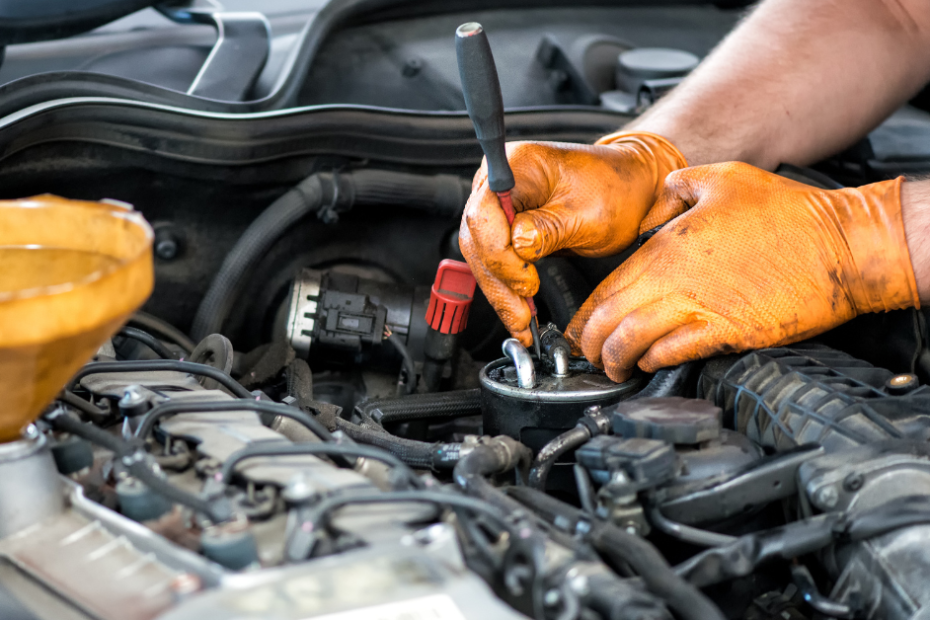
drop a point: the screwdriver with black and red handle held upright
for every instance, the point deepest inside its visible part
(485, 106)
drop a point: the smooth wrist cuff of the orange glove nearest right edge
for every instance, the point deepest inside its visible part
(879, 272)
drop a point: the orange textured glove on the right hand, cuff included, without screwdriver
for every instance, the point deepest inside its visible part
(756, 261)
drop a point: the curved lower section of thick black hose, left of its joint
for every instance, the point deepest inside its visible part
(306, 197)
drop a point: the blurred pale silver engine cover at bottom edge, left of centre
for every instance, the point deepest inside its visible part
(403, 580)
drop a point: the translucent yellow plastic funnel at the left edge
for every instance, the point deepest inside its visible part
(71, 273)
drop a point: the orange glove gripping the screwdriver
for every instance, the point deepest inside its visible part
(587, 199)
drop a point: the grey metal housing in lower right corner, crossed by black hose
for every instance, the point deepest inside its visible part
(883, 577)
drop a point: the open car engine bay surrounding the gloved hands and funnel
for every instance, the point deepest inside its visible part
(318, 415)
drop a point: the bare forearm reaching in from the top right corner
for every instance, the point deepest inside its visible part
(797, 81)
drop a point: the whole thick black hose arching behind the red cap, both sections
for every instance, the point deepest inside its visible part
(441, 194)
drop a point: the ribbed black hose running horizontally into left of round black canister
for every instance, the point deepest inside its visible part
(445, 405)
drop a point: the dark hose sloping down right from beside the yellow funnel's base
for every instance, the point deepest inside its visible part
(217, 511)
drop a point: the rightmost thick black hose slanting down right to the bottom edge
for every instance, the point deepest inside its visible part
(685, 599)
